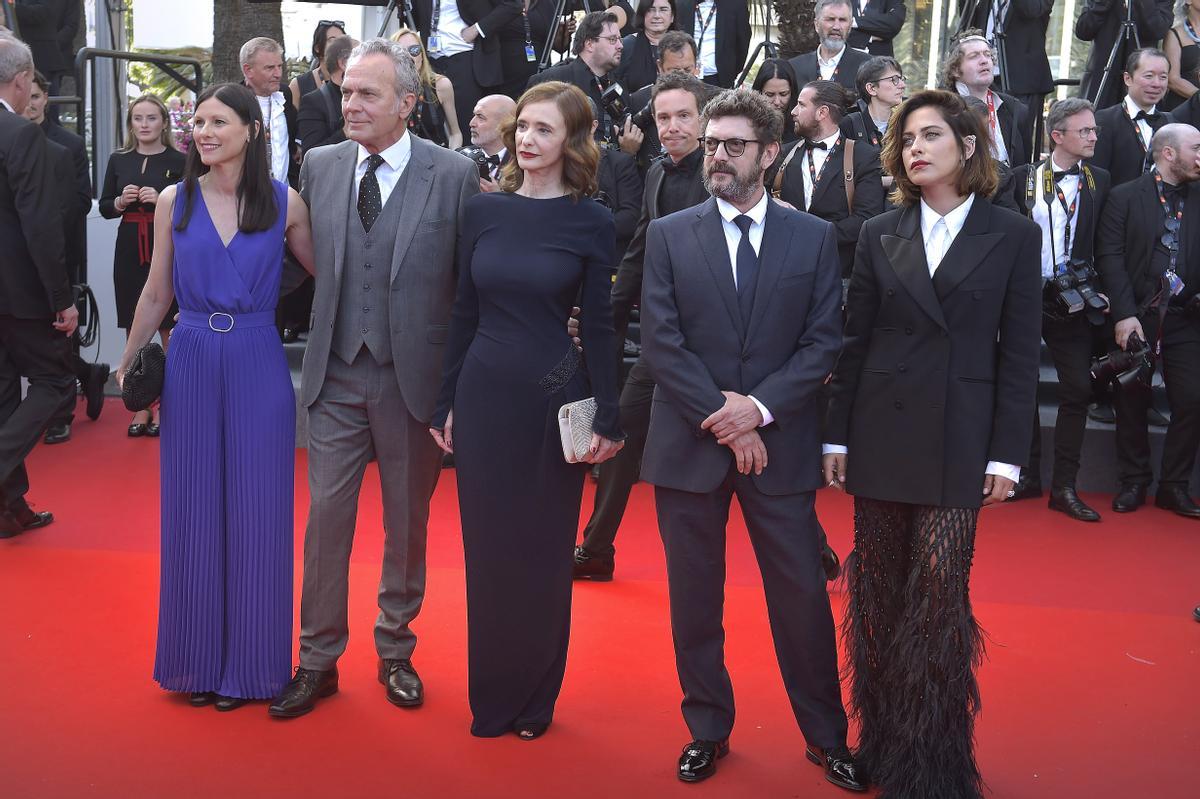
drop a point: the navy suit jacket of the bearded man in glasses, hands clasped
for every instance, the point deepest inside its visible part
(697, 345)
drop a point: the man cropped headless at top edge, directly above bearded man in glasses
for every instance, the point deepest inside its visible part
(722, 32)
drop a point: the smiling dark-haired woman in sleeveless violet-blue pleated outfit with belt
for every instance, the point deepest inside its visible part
(229, 411)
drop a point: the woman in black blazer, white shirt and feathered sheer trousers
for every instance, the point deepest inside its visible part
(935, 417)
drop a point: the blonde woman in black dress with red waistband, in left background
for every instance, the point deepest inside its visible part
(133, 182)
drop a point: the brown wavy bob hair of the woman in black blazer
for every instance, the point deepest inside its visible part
(979, 175)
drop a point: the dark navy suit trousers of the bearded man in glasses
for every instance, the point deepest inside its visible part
(785, 536)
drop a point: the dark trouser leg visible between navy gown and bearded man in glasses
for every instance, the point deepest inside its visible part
(620, 473)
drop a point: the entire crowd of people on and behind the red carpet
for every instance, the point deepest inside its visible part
(873, 326)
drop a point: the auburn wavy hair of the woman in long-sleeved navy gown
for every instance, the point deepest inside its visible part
(581, 157)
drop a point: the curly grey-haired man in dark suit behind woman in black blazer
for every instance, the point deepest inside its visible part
(969, 69)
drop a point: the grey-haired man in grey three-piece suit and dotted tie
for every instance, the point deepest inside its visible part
(387, 209)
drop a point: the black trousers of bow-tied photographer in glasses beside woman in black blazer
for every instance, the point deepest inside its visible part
(1070, 343)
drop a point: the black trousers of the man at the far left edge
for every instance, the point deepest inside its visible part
(33, 350)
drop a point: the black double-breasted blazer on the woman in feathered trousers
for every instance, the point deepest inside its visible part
(923, 397)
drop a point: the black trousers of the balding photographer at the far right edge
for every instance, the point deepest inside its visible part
(1181, 373)
